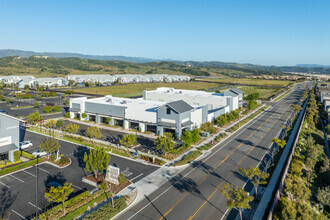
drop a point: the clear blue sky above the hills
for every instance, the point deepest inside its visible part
(269, 32)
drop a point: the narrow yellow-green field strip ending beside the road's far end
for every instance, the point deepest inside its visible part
(261, 82)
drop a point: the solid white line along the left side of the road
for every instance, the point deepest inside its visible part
(235, 136)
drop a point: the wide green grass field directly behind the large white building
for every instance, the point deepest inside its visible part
(137, 89)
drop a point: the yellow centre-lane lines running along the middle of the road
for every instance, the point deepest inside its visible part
(224, 160)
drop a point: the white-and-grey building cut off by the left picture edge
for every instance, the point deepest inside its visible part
(10, 134)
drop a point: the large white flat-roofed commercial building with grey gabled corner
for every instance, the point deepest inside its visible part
(157, 112)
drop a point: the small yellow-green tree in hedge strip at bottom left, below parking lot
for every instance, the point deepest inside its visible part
(59, 194)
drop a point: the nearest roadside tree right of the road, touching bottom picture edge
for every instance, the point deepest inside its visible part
(237, 198)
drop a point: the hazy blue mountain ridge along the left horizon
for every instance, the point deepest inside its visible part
(22, 53)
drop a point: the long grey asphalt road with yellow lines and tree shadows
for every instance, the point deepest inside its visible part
(195, 192)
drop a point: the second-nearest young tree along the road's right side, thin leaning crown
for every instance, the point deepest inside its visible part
(256, 176)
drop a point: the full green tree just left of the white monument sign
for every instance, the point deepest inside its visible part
(96, 161)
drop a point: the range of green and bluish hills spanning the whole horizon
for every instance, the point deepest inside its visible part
(121, 64)
